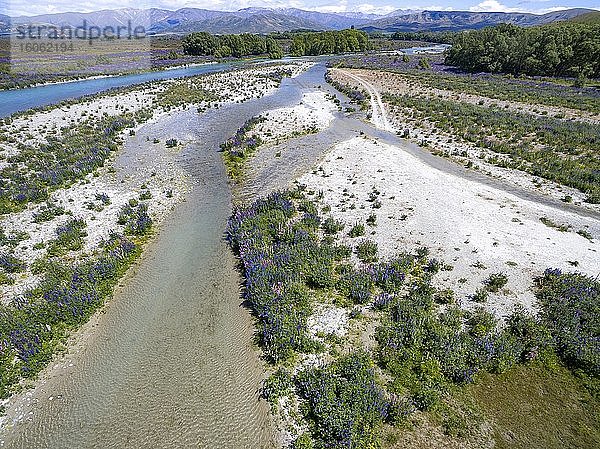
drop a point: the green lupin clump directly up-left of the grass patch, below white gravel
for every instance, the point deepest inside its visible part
(427, 351)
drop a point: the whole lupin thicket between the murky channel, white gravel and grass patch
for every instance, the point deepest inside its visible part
(427, 349)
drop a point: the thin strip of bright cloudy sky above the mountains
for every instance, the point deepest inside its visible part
(34, 7)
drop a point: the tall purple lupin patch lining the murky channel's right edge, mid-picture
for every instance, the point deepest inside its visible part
(278, 258)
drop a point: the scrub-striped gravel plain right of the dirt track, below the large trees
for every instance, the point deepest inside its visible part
(531, 125)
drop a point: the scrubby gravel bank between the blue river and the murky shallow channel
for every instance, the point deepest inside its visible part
(84, 184)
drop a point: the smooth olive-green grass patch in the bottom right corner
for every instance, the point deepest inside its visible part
(534, 406)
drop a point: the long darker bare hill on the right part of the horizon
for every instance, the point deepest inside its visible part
(460, 20)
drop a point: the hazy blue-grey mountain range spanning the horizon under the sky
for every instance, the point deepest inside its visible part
(265, 20)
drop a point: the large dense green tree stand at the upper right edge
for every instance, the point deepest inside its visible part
(565, 49)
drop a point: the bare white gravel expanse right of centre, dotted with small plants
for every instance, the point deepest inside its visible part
(475, 229)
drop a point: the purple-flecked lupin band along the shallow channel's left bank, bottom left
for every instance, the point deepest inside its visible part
(34, 325)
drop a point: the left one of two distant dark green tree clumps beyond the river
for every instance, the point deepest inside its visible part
(236, 45)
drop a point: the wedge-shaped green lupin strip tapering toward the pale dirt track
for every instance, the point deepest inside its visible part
(550, 148)
